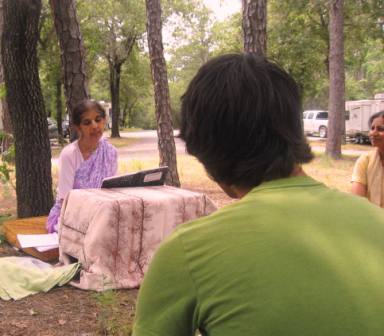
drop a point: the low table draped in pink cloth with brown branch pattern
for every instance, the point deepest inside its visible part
(114, 233)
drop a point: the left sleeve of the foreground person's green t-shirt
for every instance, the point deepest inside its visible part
(167, 298)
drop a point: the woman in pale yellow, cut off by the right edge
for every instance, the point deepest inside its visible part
(367, 178)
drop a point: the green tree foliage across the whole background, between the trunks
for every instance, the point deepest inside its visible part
(297, 39)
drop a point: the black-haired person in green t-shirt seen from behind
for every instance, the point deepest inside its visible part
(291, 256)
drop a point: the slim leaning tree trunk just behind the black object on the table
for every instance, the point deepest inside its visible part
(166, 142)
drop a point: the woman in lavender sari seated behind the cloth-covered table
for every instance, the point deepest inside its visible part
(85, 162)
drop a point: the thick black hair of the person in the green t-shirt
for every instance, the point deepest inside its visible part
(241, 117)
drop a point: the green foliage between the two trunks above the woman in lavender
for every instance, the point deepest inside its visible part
(107, 28)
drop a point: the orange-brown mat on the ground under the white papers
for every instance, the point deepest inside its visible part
(33, 225)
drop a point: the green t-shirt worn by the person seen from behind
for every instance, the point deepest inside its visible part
(291, 258)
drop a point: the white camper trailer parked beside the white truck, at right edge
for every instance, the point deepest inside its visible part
(358, 114)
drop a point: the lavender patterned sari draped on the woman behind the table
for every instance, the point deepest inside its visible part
(101, 164)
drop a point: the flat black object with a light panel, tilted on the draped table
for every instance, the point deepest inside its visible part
(142, 178)
